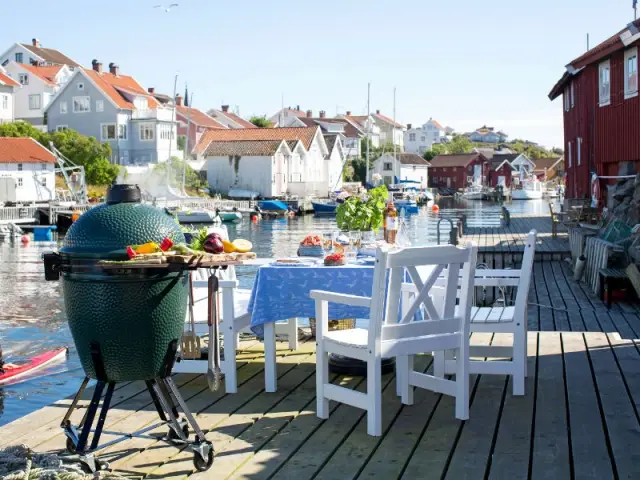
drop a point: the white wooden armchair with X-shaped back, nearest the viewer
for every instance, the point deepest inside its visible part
(388, 336)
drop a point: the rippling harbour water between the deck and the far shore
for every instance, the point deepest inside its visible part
(32, 318)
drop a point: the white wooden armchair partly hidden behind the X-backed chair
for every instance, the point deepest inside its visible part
(498, 319)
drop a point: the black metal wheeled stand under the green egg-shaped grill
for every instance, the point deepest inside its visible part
(166, 398)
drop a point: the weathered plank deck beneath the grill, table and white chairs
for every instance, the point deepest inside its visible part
(578, 419)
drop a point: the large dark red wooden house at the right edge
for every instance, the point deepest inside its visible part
(601, 111)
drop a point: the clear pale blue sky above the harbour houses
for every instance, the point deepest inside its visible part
(465, 63)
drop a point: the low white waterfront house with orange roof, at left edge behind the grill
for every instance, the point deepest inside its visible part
(27, 171)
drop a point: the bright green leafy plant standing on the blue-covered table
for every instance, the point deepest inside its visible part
(363, 214)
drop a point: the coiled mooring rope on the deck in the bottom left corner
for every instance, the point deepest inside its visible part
(21, 463)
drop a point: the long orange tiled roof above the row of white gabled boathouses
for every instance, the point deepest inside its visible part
(304, 134)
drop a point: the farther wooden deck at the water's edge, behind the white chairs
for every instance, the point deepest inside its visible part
(510, 239)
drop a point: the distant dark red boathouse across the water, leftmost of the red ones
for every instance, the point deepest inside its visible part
(458, 170)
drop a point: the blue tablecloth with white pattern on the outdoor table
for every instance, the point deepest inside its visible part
(281, 292)
